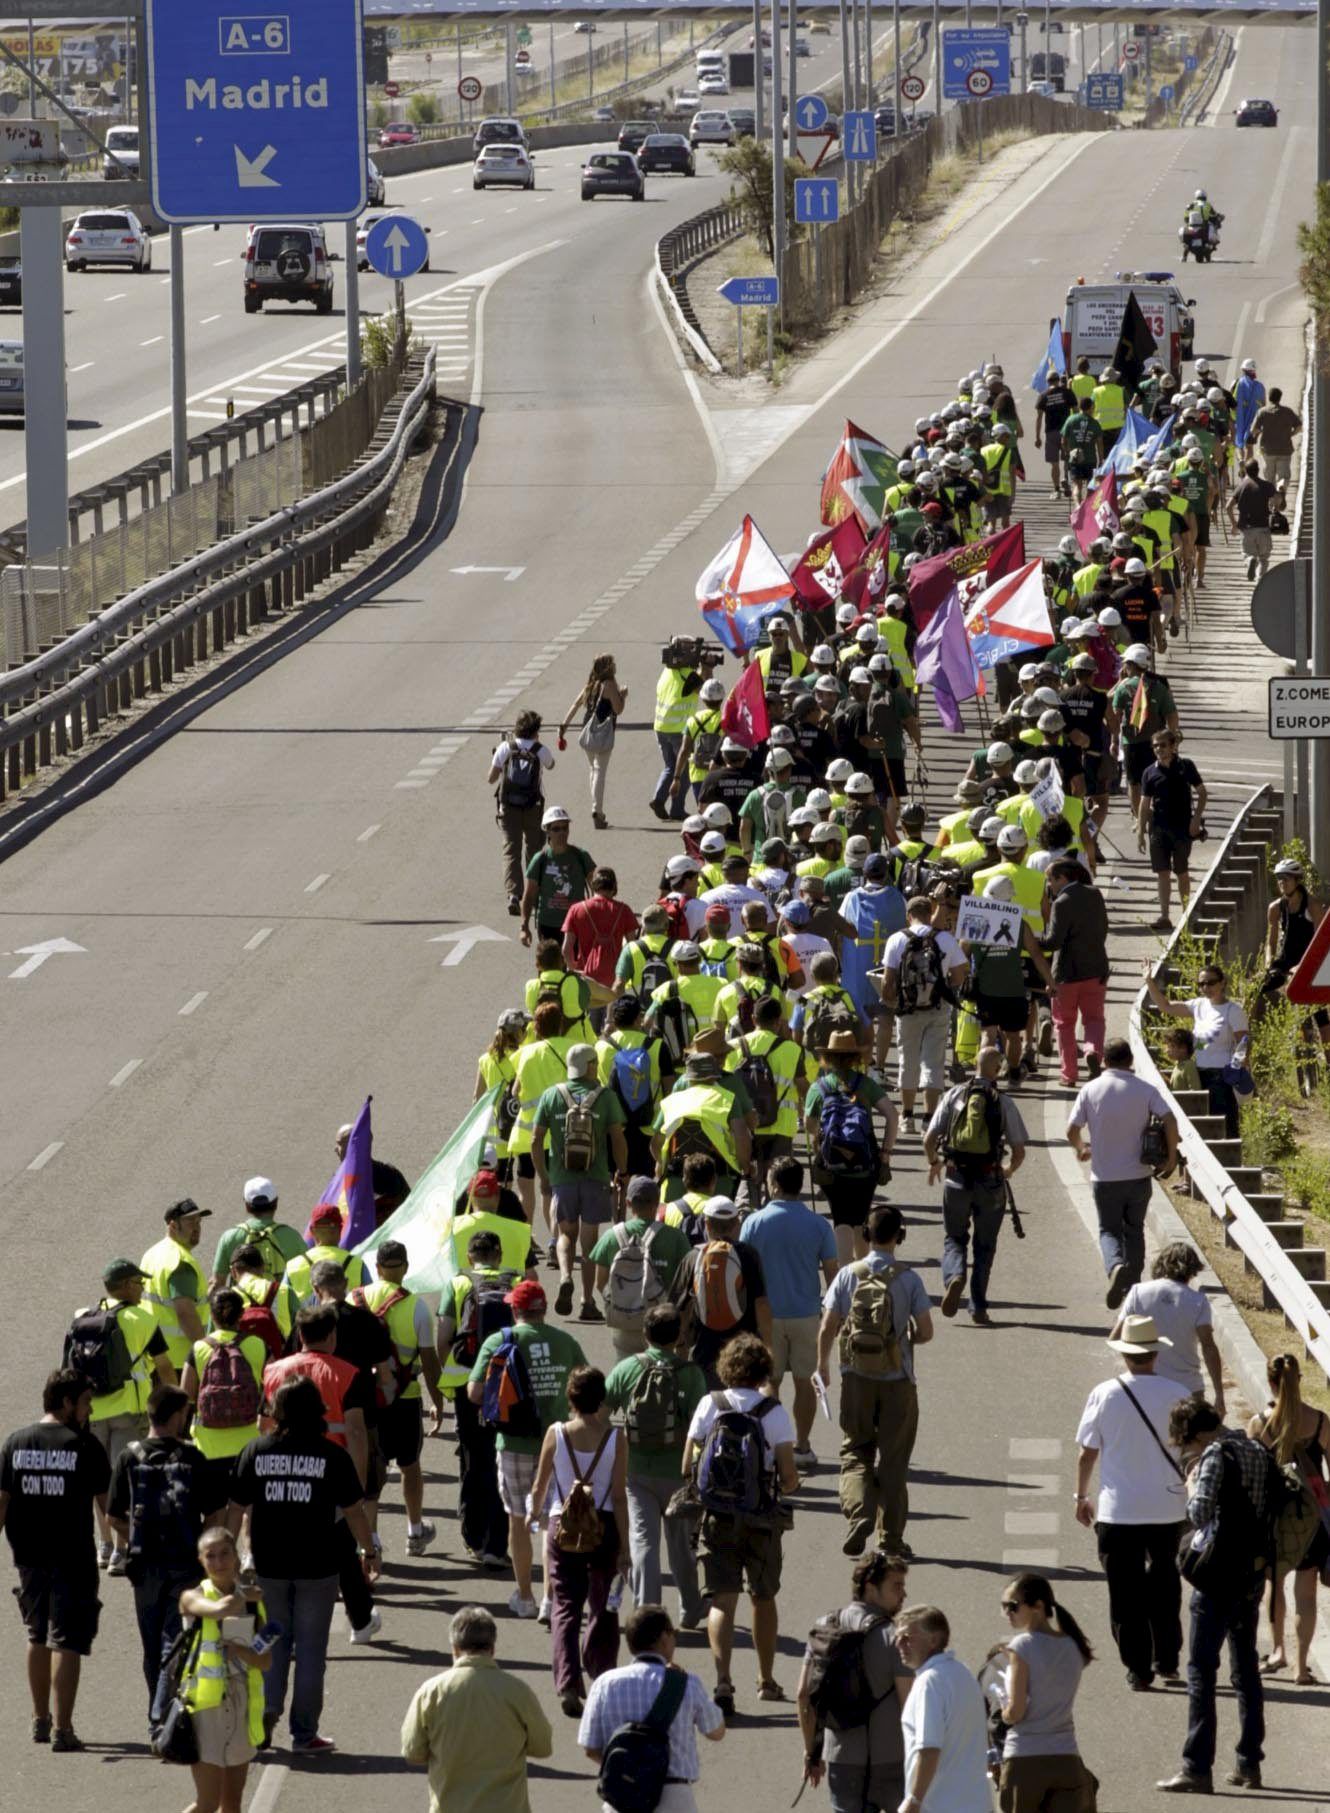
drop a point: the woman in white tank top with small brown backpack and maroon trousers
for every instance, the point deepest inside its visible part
(583, 1506)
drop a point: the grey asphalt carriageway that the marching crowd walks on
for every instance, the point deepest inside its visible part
(258, 900)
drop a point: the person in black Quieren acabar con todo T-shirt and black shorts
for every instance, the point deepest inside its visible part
(52, 1479)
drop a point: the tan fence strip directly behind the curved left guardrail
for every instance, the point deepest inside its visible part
(240, 472)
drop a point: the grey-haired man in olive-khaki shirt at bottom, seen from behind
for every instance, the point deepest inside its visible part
(476, 1727)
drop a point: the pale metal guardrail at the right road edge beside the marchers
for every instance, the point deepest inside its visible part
(1228, 911)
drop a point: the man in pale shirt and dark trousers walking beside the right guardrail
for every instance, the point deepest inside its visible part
(1115, 1109)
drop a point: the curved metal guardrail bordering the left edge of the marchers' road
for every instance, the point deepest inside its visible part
(55, 703)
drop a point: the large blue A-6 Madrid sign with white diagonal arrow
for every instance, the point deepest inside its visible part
(256, 115)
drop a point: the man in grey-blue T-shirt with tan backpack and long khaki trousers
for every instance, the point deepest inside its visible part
(878, 1310)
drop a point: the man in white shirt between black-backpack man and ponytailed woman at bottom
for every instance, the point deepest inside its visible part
(943, 1721)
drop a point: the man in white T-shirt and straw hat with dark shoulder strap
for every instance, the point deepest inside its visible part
(1142, 1506)
